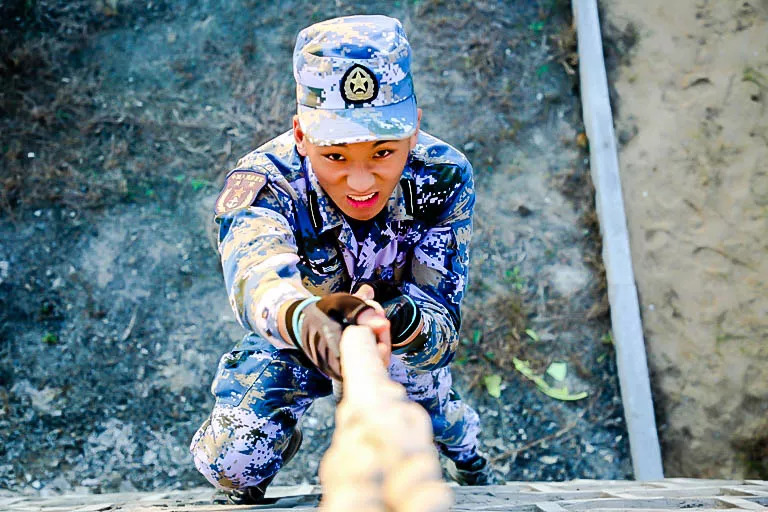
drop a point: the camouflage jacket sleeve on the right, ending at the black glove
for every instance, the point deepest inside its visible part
(439, 270)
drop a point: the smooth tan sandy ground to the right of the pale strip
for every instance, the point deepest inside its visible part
(691, 106)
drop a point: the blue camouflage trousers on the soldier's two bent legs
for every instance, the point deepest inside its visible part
(262, 392)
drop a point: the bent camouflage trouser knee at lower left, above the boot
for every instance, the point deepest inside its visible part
(236, 448)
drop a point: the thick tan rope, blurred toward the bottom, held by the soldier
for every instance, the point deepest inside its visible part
(382, 457)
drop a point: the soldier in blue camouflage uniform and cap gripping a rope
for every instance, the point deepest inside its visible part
(354, 216)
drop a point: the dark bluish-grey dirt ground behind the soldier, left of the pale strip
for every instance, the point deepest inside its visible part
(116, 121)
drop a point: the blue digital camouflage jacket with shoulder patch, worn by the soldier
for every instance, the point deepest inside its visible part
(290, 241)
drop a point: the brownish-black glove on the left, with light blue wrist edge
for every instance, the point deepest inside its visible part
(315, 326)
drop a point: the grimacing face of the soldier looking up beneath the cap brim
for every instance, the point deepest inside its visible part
(359, 177)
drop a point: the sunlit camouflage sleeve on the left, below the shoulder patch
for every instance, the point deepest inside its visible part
(259, 257)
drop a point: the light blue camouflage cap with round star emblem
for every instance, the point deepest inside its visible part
(353, 81)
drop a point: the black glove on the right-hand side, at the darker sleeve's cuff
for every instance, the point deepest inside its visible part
(403, 314)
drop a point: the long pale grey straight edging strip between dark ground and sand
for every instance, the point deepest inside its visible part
(622, 293)
